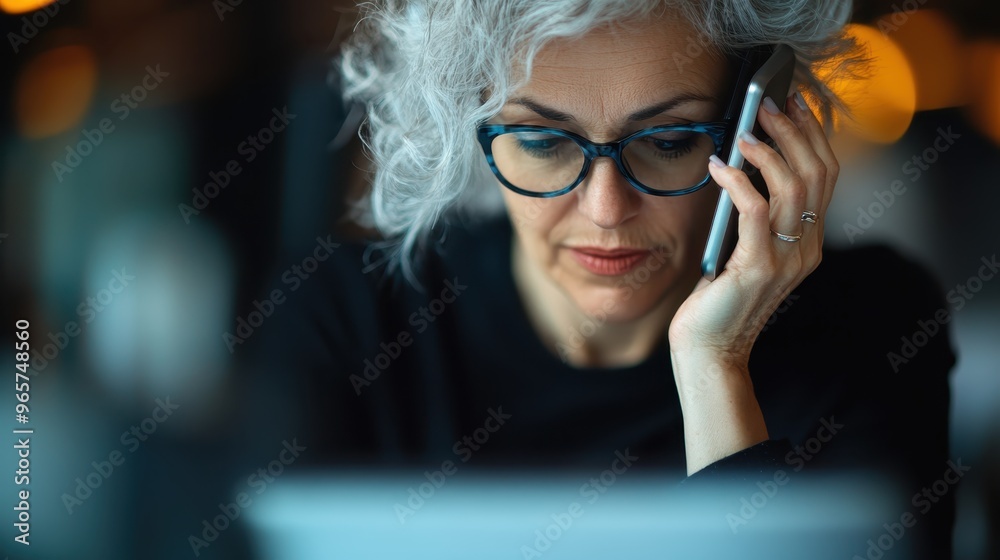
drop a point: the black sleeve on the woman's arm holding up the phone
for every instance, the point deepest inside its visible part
(875, 378)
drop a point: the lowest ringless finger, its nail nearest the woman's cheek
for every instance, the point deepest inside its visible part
(754, 221)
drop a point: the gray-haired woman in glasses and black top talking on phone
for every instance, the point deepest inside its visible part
(580, 316)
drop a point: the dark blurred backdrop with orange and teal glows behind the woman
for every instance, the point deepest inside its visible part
(158, 156)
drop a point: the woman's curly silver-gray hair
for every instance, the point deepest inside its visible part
(421, 68)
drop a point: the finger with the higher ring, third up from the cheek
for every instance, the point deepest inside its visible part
(798, 153)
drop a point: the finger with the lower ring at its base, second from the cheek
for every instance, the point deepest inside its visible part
(786, 189)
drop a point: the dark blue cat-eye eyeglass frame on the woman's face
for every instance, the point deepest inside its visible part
(718, 131)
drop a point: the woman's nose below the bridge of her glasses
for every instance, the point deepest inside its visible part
(606, 197)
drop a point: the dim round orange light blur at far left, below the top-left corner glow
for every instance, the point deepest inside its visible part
(54, 90)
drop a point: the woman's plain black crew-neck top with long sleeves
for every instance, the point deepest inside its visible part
(372, 370)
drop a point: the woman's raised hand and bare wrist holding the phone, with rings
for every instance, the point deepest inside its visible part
(714, 330)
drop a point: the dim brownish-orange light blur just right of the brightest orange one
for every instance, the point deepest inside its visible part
(933, 47)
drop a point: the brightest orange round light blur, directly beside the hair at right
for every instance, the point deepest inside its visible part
(883, 103)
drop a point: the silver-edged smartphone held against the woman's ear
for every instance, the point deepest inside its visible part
(763, 72)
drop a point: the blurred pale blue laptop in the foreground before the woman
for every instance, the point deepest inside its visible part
(525, 515)
